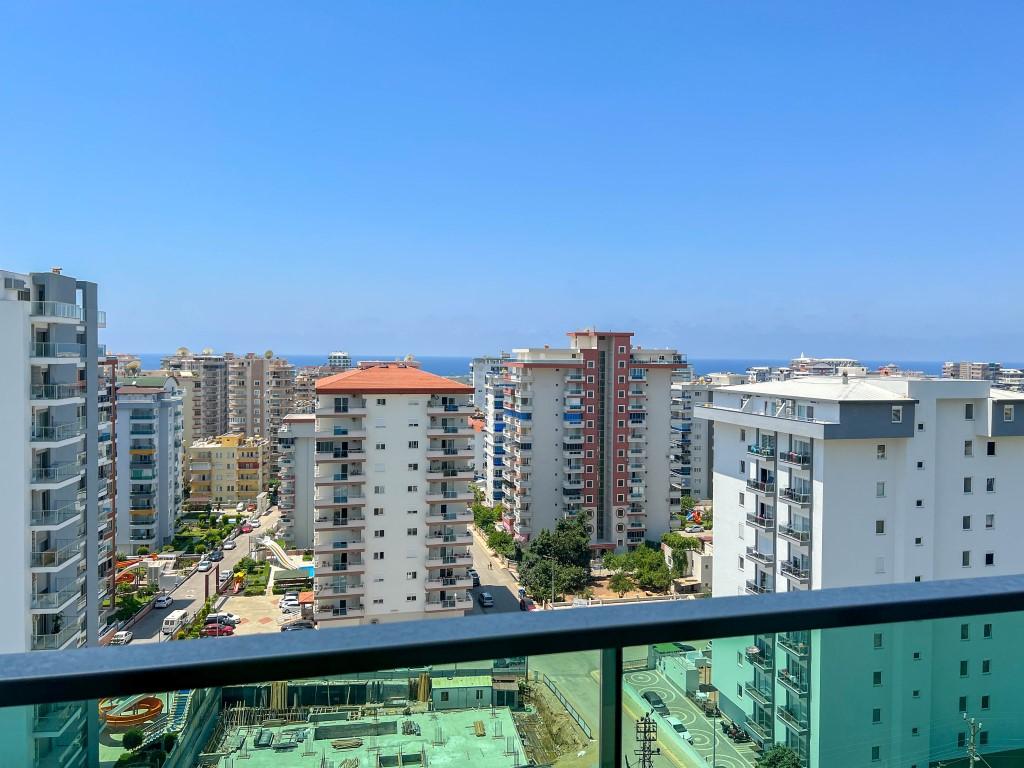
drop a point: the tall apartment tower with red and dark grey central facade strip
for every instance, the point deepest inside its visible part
(587, 432)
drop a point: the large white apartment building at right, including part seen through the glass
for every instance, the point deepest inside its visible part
(839, 482)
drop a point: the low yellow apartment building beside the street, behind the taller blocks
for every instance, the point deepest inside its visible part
(228, 470)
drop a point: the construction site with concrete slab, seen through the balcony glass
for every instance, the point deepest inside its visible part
(440, 718)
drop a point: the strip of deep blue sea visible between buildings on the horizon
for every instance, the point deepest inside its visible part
(459, 366)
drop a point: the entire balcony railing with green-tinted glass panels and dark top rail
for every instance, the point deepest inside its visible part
(573, 696)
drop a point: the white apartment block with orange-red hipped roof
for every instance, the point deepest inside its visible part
(393, 474)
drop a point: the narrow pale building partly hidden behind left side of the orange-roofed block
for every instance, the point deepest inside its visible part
(297, 443)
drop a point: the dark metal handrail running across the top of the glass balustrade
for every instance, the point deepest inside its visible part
(96, 673)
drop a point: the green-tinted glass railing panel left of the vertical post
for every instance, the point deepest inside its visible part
(501, 714)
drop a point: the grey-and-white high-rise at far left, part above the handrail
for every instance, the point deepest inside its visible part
(57, 464)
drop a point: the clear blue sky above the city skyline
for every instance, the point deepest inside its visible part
(736, 180)
